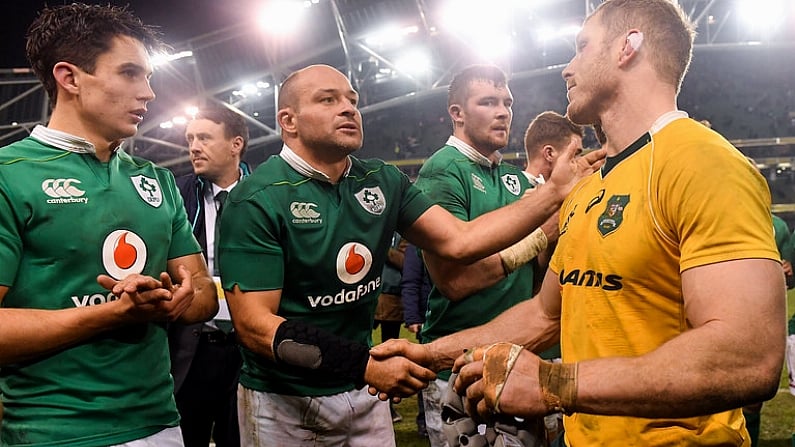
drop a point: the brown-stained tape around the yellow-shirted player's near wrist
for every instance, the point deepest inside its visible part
(558, 386)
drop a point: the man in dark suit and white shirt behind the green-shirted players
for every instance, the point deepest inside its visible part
(205, 360)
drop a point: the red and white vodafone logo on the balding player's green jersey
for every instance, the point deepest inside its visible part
(354, 261)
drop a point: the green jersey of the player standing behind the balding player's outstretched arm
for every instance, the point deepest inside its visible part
(468, 185)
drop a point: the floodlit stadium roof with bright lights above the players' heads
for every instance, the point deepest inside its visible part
(393, 50)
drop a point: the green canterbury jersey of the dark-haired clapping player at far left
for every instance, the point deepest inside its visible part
(66, 217)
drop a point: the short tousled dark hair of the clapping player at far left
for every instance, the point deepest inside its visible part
(78, 34)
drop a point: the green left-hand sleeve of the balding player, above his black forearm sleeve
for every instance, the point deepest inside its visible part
(250, 254)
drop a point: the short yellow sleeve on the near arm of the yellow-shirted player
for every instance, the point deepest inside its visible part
(714, 205)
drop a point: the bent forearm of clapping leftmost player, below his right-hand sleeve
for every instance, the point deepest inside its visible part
(205, 296)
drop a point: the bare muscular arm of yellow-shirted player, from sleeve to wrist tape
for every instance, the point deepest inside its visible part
(732, 357)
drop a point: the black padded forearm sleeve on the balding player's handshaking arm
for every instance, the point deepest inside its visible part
(302, 345)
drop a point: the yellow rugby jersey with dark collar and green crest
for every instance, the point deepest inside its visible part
(677, 198)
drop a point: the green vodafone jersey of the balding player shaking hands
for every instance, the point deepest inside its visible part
(324, 245)
